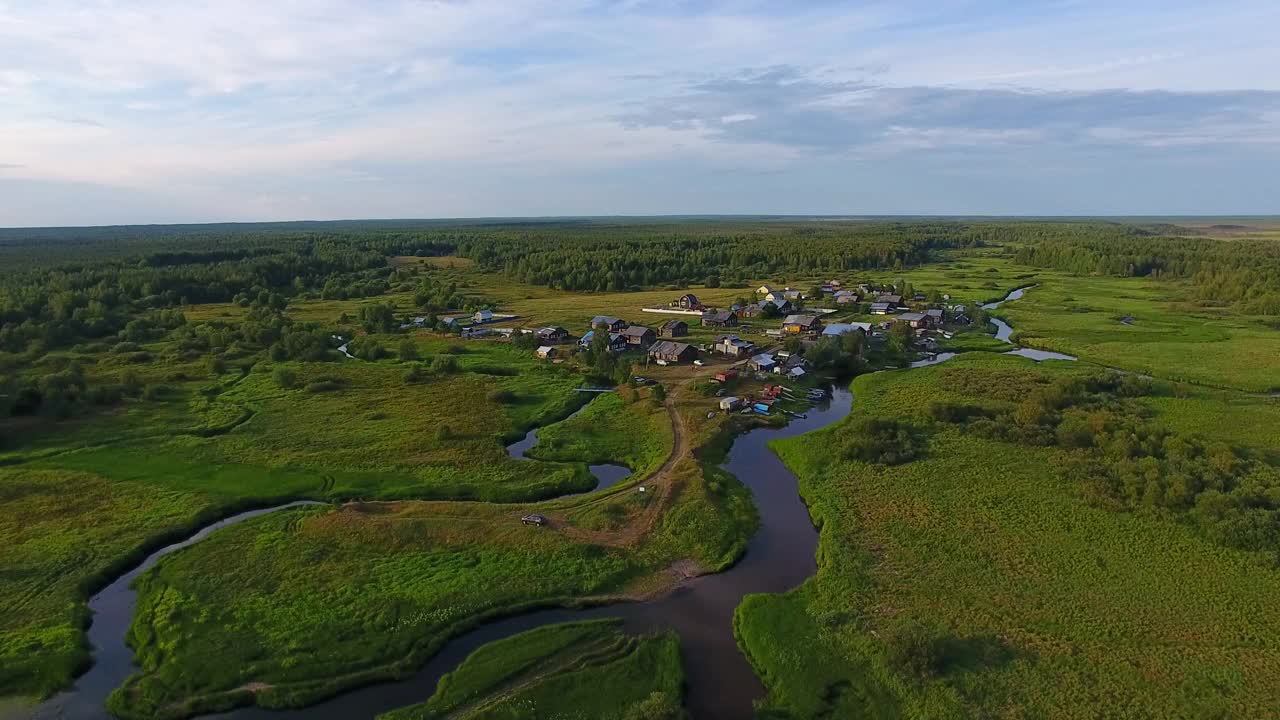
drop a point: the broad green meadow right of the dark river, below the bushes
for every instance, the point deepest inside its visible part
(1037, 604)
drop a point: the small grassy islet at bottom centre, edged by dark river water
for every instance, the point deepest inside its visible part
(589, 671)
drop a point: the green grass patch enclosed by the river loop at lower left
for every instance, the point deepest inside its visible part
(314, 601)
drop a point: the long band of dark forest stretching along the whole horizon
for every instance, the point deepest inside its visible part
(62, 286)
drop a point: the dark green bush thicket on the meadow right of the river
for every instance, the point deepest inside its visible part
(1122, 462)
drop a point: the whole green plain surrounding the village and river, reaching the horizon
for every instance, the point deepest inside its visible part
(993, 572)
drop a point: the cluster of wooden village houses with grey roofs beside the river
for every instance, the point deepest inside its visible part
(760, 350)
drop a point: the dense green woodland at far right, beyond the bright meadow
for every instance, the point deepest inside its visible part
(1245, 274)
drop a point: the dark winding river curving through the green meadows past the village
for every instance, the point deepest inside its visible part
(720, 682)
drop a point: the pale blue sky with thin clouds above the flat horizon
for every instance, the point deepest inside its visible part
(121, 112)
